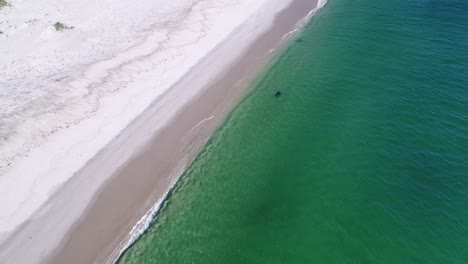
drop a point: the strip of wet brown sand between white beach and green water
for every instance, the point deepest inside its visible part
(143, 180)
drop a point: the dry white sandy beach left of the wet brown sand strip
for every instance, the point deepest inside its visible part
(80, 102)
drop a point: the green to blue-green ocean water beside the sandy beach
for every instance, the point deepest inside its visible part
(363, 159)
